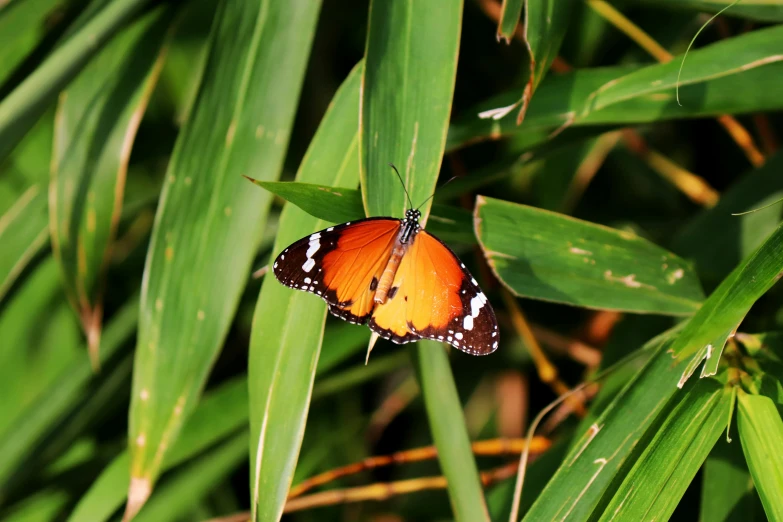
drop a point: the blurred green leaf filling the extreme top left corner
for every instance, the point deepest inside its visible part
(22, 26)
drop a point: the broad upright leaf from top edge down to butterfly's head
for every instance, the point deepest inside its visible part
(405, 103)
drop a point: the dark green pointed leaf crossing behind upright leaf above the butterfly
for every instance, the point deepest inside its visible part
(340, 205)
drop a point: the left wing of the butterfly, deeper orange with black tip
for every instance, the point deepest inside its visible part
(339, 264)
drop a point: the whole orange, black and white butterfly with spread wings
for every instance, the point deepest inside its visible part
(392, 275)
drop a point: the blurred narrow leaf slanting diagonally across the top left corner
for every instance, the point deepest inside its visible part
(21, 108)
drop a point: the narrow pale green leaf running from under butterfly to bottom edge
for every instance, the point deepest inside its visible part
(444, 411)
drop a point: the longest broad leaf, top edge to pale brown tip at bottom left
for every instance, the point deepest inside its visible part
(206, 225)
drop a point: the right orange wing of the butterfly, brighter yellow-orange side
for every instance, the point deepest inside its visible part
(434, 296)
